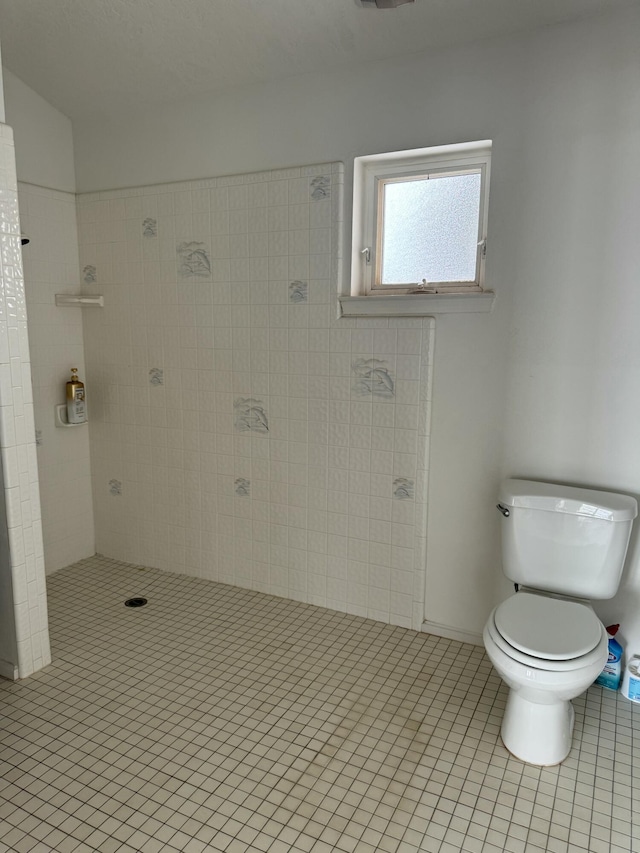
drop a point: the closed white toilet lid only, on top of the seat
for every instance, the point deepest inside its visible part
(549, 628)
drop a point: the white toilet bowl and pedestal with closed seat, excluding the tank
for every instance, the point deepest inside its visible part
(548, 650)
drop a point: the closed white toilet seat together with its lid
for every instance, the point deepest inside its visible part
(546, 633)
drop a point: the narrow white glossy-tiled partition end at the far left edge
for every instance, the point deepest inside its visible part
(17, 434)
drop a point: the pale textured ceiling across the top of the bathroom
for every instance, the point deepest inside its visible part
(104, 56)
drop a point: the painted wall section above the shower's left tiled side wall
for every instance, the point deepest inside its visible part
(43, 137)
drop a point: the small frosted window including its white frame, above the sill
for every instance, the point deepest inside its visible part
(419, 221)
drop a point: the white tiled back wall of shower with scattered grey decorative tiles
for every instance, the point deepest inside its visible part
(206, 339)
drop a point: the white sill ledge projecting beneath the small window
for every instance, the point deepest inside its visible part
(417, 304)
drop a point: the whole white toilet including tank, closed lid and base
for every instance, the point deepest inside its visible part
(562, 547)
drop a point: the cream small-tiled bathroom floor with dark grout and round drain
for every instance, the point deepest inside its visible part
(216, 718)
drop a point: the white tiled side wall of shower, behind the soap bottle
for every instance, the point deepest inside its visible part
(50, 260)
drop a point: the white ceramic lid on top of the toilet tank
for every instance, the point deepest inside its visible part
(554, 497)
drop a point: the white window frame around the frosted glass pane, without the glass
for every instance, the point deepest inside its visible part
(370, 175)
